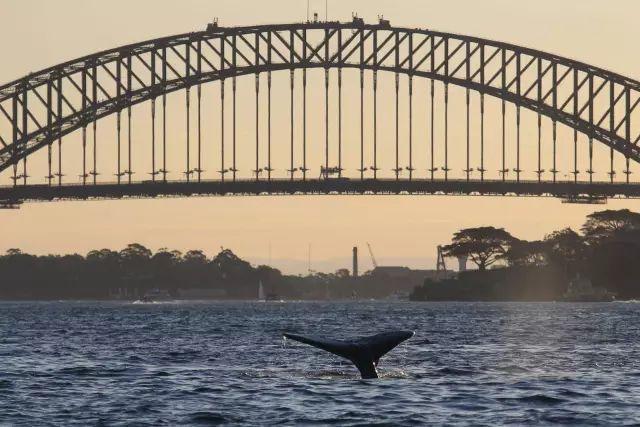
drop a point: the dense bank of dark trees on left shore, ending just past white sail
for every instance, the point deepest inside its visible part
(132, 270)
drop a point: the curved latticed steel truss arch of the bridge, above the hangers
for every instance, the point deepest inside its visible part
(69, 96)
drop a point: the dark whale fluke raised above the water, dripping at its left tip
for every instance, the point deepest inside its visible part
(364, 352)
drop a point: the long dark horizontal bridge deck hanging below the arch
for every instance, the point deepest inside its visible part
(571, 191)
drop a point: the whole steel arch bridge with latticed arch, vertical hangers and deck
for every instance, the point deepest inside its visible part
(40, 109)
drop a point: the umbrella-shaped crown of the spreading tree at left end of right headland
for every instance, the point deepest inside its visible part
(484, 246)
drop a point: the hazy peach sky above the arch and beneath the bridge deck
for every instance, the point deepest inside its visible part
(39, 33)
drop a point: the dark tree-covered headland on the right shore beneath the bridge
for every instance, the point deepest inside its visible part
(605, 250)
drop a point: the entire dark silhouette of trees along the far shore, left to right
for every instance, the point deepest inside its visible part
(606, 252)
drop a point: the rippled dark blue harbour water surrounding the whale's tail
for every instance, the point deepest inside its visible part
(211, 363)
